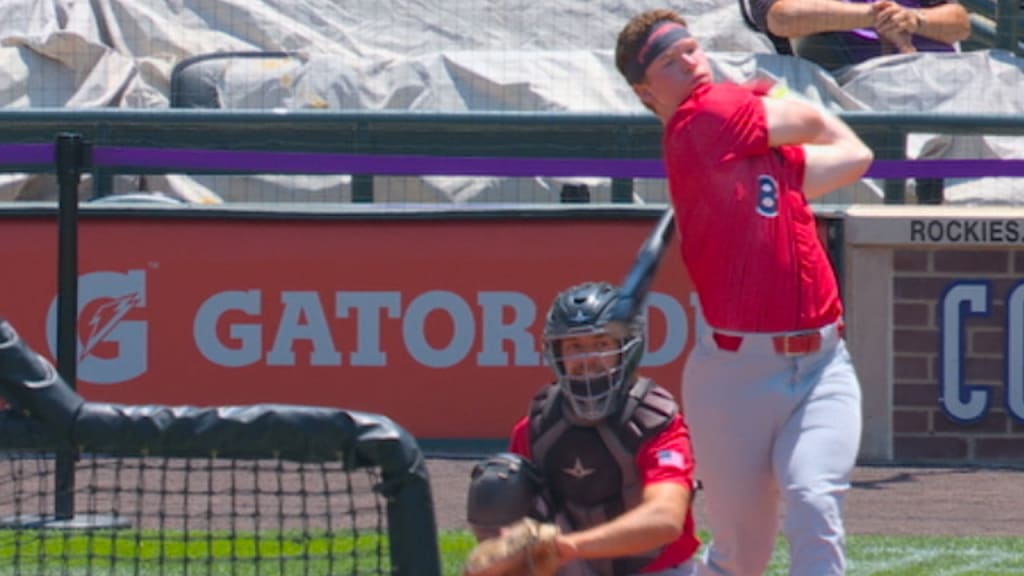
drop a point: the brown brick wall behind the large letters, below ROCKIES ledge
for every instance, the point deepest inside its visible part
(922, 430)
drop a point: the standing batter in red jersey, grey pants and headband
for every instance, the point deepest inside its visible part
(770, 391)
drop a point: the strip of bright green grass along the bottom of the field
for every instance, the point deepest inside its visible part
(153, 553)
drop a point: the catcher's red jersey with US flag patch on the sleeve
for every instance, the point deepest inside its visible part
(667, 458)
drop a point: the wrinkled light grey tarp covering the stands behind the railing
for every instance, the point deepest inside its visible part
(452, 56)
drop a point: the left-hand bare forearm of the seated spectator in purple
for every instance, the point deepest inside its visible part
(791, 19)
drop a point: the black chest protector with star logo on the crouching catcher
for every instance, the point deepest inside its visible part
(591, 471)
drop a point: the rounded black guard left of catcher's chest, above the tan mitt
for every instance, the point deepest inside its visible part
(504, 488)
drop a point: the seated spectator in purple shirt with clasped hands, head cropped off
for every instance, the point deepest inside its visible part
(836, 33)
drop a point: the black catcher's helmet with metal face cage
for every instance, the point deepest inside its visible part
(584, 310)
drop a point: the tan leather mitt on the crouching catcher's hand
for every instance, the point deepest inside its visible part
(525, 549)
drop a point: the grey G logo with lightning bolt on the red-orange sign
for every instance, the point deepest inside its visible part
(105, 301)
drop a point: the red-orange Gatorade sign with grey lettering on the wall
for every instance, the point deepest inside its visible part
(433, 323)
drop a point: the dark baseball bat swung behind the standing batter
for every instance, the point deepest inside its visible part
(636, 286)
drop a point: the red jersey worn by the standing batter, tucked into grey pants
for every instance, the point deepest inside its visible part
(749, 238)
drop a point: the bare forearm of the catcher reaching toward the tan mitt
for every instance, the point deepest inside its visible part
(657, 521)
